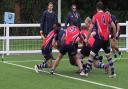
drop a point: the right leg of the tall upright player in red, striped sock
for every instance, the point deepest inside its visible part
(106, 48)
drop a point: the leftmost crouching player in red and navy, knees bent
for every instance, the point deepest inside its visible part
(47, 45)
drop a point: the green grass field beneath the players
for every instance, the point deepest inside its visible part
(18, 73)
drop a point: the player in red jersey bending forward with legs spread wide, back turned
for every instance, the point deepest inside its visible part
(70, 46)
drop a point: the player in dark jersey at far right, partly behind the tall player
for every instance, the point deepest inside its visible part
(114, 43)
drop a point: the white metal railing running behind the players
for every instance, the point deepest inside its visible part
(7, 37)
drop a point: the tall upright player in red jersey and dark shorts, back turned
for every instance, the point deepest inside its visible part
(100, 21)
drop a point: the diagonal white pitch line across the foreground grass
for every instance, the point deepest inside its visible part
(95, 83)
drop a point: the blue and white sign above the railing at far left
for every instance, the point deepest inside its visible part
(9, 17)
